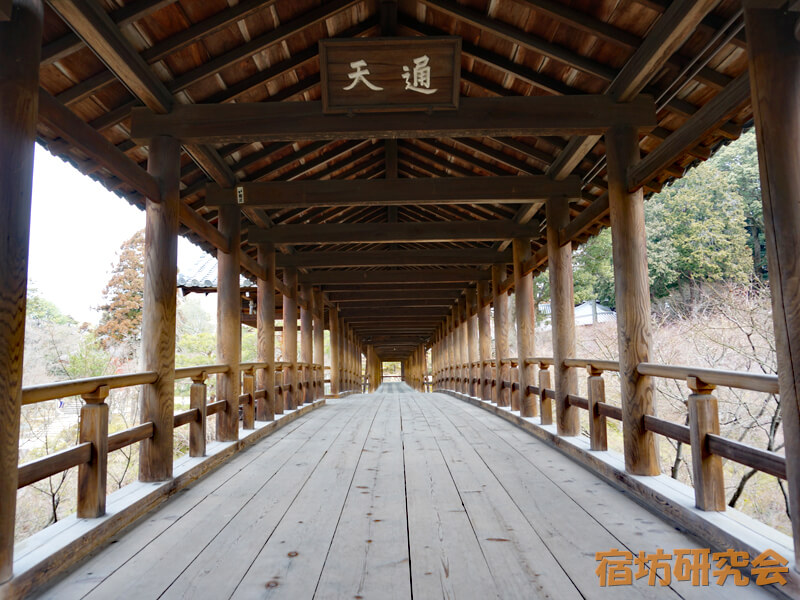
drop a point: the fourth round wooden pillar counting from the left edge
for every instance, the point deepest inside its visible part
(265, 328)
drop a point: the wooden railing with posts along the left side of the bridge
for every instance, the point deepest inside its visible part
(90, 455)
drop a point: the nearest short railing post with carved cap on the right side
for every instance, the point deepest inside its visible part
(709, 481)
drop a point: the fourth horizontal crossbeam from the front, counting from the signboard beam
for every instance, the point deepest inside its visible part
(394, 258)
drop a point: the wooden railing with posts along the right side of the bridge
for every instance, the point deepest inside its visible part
(497, 382)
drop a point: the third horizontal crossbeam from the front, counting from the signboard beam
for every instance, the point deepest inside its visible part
(389, 233)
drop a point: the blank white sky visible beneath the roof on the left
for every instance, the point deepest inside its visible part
(77, 227)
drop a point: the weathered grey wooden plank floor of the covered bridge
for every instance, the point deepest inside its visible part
(390, 495)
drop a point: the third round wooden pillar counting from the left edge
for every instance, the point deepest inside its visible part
(229, 323)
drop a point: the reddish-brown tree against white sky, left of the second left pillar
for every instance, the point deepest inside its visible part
(122, 314)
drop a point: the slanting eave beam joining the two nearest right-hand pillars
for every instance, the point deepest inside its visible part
(698, 126)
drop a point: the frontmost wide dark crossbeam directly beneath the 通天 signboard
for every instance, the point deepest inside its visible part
(284, 121)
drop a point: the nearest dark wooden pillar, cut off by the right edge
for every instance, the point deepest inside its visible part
(774, 56)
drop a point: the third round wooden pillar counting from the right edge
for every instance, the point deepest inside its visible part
(562, 310)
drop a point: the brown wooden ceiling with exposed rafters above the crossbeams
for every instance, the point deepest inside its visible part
(689, 55)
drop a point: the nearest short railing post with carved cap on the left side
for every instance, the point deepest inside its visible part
(92, 475)
